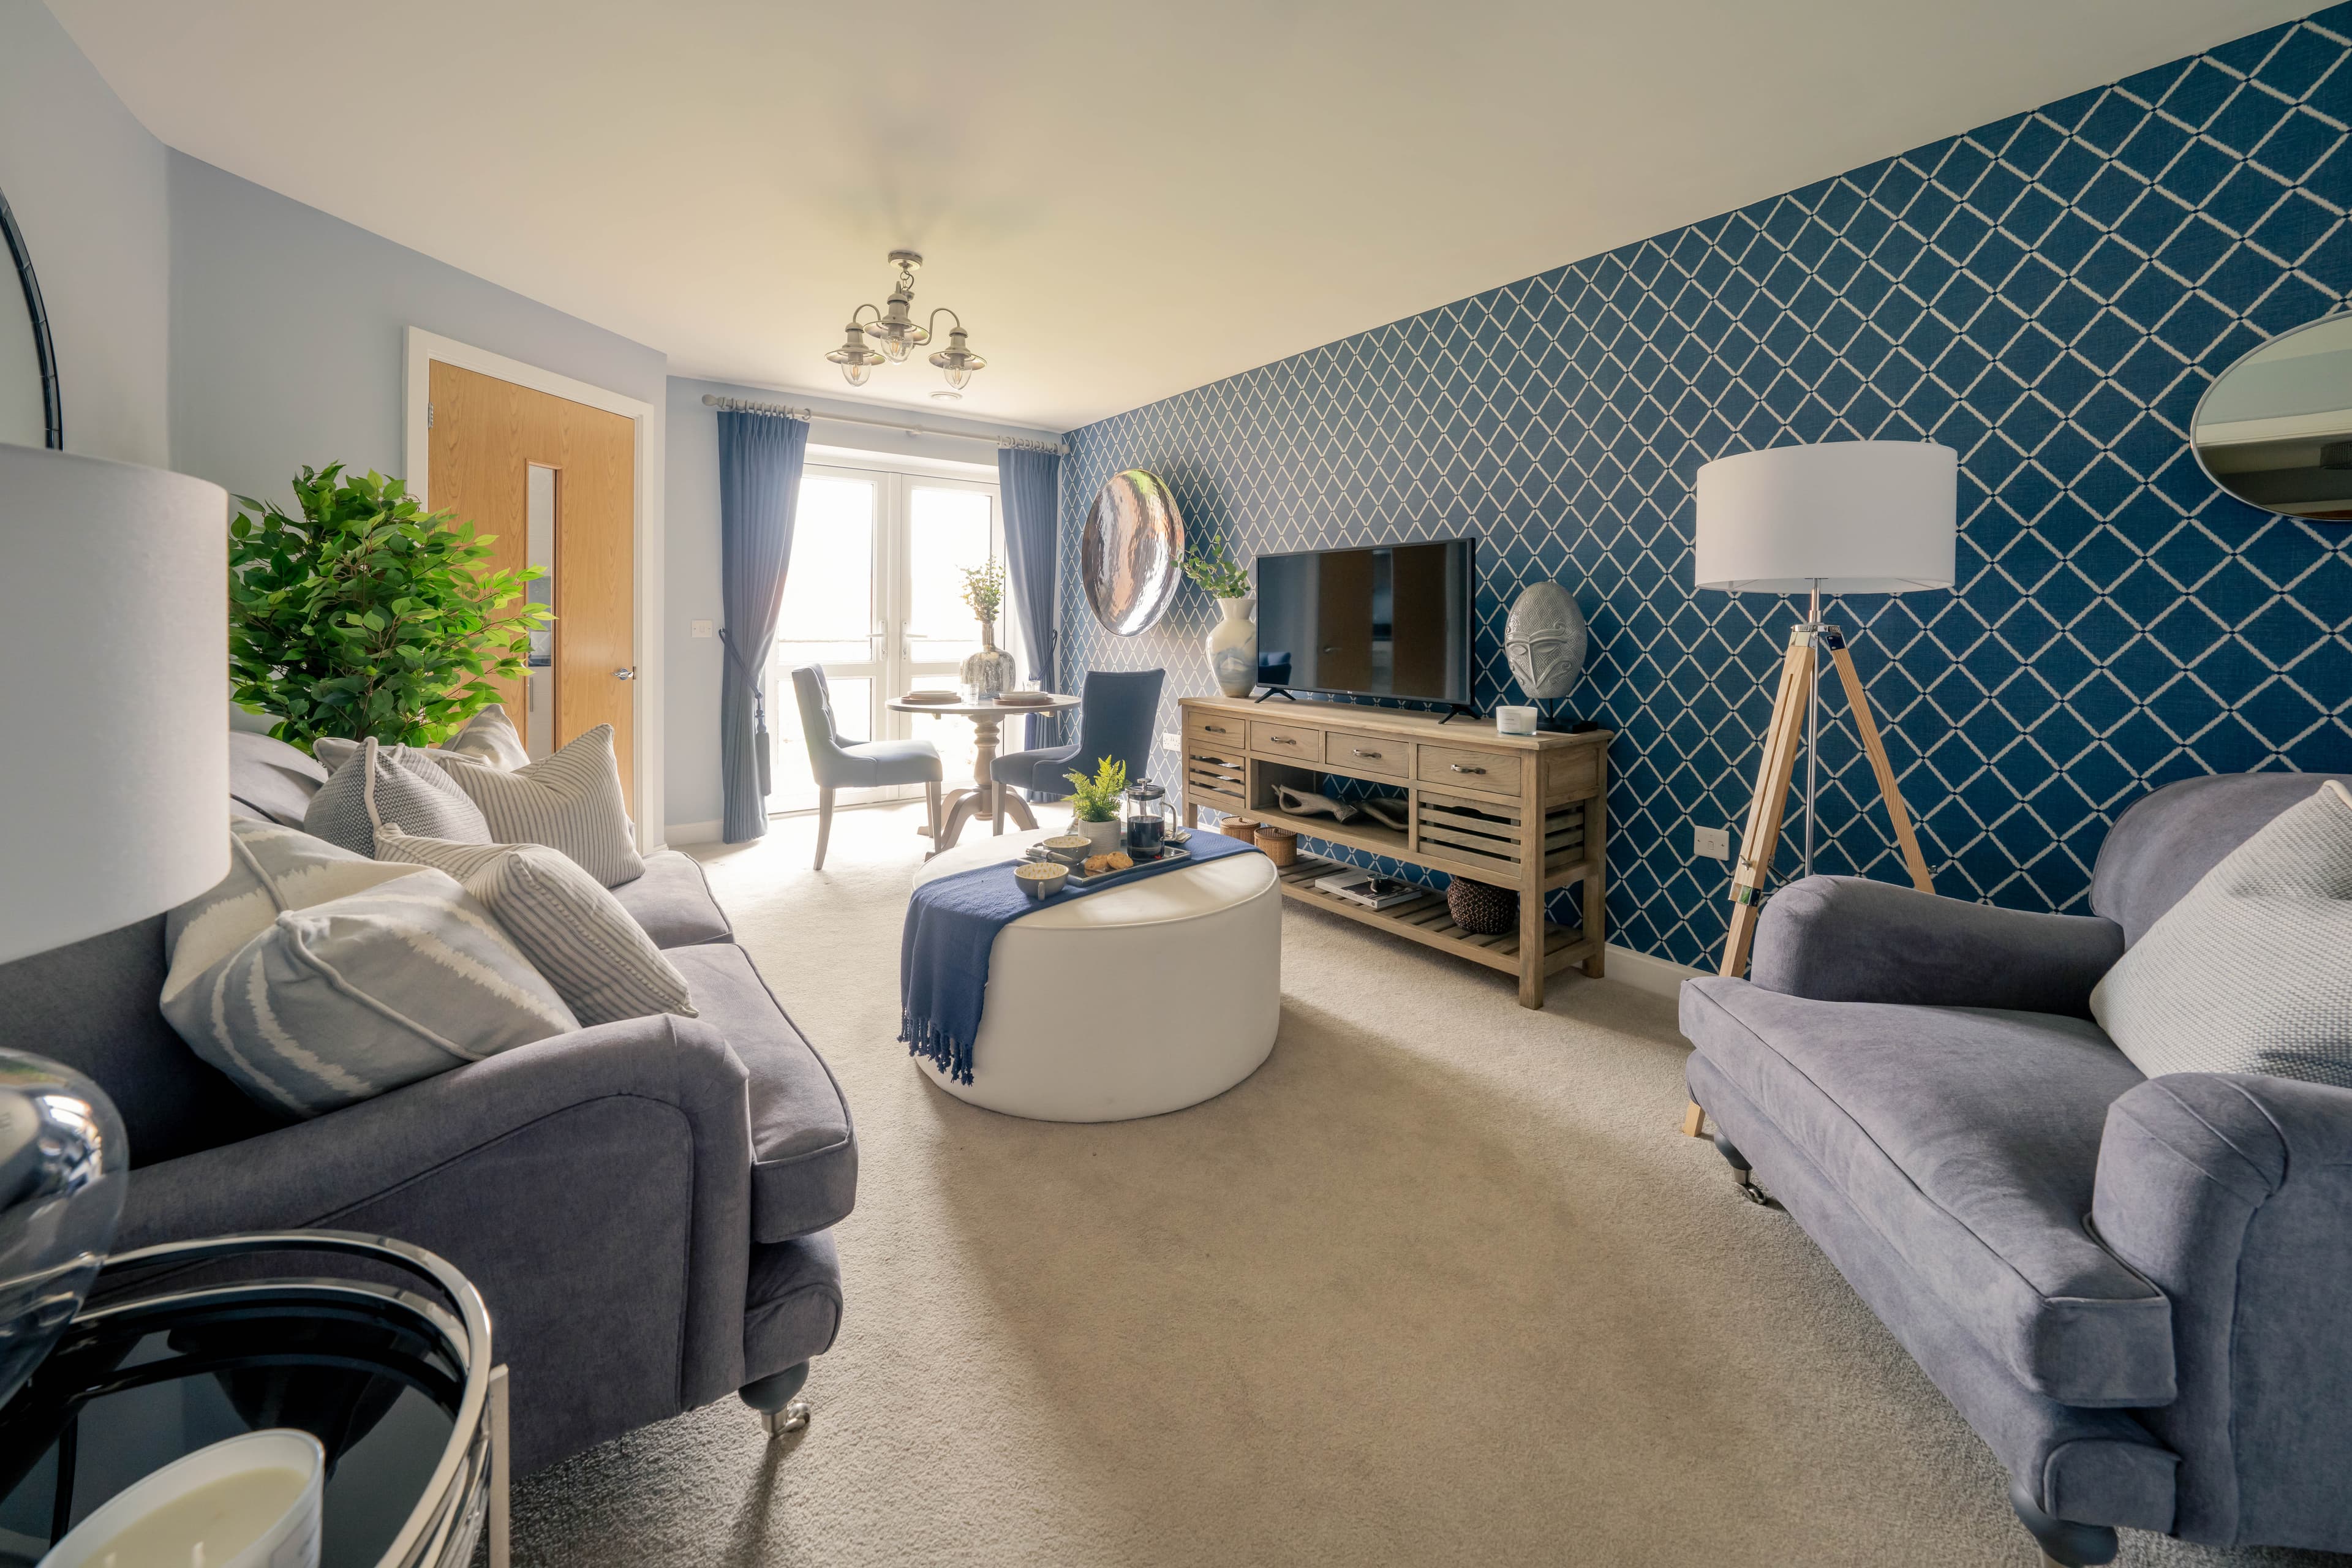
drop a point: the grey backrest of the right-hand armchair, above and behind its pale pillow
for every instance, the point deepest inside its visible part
(2167, 843)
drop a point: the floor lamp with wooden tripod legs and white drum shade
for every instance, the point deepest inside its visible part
(1831, 518)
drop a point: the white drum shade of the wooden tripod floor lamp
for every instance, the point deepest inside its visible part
(1843, 516)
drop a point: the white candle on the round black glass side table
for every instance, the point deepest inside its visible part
(246, 1503)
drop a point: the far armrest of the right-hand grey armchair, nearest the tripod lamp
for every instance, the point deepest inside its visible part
(1850, 939)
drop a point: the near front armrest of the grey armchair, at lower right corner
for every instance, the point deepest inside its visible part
(2233, 1195)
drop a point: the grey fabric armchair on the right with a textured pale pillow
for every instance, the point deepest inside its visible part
(2137, 1292)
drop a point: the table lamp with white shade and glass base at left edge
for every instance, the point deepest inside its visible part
(114, 808)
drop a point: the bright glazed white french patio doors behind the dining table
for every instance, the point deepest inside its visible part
(876, 596)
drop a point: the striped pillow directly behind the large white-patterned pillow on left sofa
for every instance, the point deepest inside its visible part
(577, 934)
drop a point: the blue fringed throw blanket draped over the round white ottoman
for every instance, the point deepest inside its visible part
(949, 930)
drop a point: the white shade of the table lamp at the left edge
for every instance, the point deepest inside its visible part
(114, 695)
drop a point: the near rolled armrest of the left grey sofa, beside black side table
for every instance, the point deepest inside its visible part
(596, 1188)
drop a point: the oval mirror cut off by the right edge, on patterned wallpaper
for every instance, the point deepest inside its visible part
(2276, 431)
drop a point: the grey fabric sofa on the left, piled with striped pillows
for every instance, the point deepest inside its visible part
(643, 1205)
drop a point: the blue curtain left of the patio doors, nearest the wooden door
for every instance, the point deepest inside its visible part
(761, 460)
